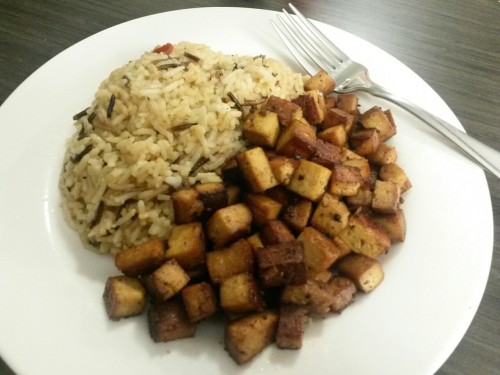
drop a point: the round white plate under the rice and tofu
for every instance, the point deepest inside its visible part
(52, 317)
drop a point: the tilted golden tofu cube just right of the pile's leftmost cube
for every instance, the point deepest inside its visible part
(166, 281)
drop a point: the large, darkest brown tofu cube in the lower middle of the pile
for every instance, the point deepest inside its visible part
(282, 264)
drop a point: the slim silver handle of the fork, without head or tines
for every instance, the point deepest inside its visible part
(487, 157)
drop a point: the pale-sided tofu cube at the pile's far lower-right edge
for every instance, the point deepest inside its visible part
(366, 272)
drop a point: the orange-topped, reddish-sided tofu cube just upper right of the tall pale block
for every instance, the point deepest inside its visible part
(297, 141)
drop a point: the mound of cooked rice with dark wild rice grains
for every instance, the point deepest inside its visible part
(157, 124)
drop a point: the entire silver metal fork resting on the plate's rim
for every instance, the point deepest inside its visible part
(314, 51)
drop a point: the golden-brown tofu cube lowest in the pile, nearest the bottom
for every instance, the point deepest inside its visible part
(248, 336)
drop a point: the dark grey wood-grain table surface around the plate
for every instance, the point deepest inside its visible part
(454, 45)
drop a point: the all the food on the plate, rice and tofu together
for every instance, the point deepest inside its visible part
(297, 197)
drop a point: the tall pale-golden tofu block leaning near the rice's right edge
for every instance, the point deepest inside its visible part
(256, 169)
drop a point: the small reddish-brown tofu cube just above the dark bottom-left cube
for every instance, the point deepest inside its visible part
(199, 301)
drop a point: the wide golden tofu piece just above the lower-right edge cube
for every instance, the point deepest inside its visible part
(363, 236)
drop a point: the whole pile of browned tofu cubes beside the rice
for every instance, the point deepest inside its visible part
(294, 231)
